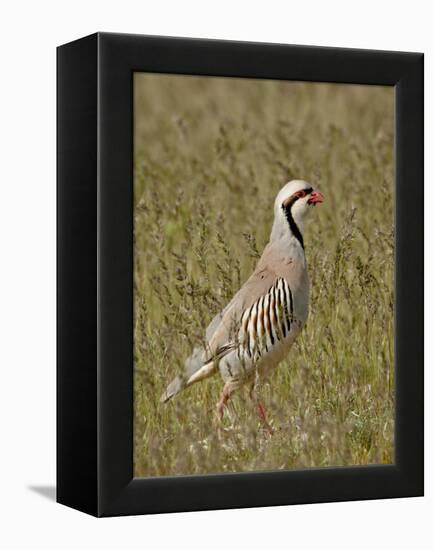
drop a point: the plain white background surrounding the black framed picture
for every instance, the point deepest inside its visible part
(30, 31)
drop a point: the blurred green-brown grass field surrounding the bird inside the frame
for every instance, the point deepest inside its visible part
(210, 156)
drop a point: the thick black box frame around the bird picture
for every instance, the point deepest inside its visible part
(95, 263)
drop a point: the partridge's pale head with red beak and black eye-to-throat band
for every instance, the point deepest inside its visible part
(292, 204)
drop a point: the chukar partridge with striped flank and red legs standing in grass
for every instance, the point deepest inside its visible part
(257, 328)
